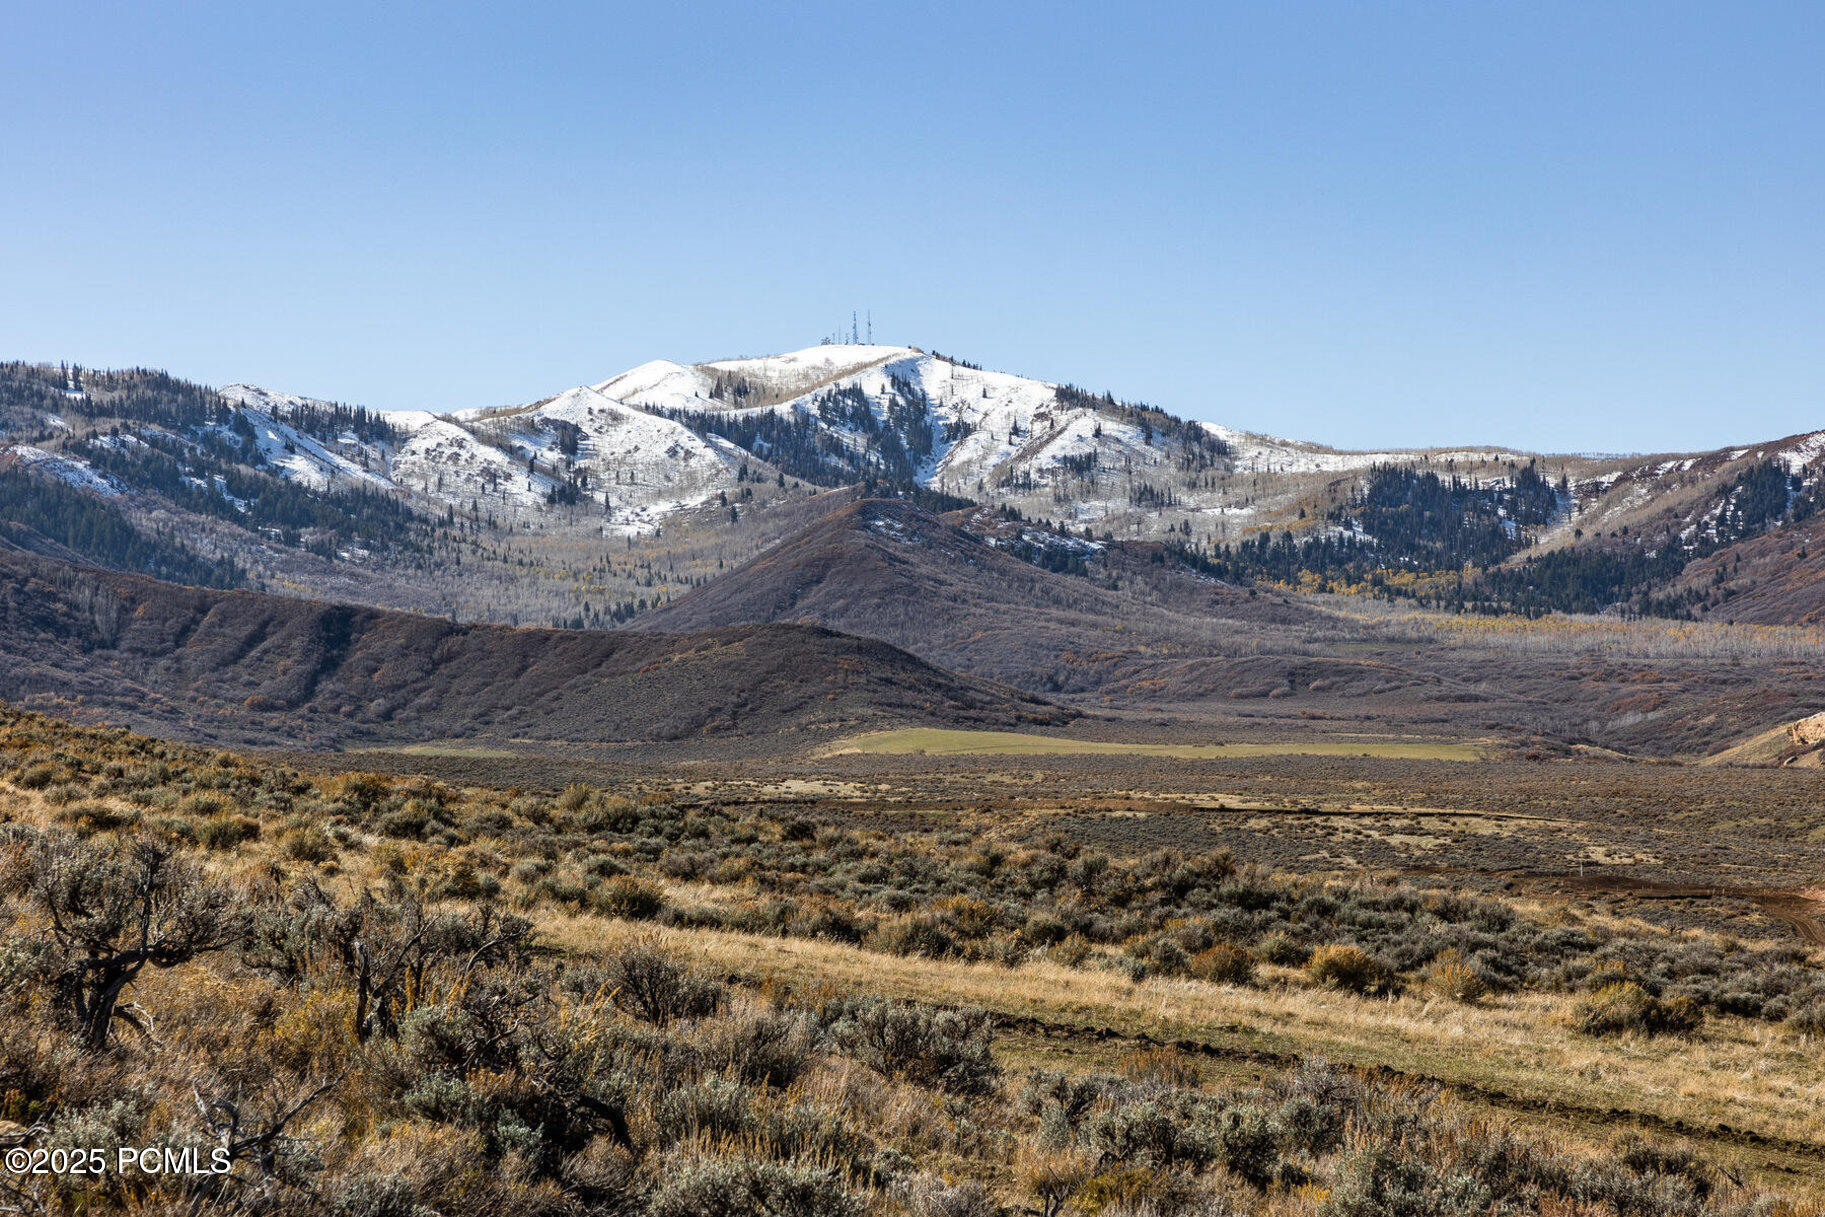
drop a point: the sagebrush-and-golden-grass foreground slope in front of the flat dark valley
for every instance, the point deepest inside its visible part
(388, 993)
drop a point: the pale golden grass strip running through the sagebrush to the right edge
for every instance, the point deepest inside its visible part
(1746, 1076)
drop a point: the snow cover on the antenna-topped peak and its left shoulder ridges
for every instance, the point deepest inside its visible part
(986, 435)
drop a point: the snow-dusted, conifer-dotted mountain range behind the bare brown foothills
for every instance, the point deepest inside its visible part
(603, 503)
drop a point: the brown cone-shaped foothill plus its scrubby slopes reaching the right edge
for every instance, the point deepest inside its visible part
(1140, 629)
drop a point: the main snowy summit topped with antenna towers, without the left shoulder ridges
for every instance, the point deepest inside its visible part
(1038, 446)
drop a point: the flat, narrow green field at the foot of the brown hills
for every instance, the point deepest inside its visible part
(950, 744)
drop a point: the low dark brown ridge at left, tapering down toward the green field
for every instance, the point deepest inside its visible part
(238, 667)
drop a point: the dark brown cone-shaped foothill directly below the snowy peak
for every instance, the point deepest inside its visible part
(979, 594)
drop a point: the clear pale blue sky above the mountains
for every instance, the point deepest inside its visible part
(1572, 227)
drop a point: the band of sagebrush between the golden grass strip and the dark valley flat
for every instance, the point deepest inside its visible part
(935, 893)
